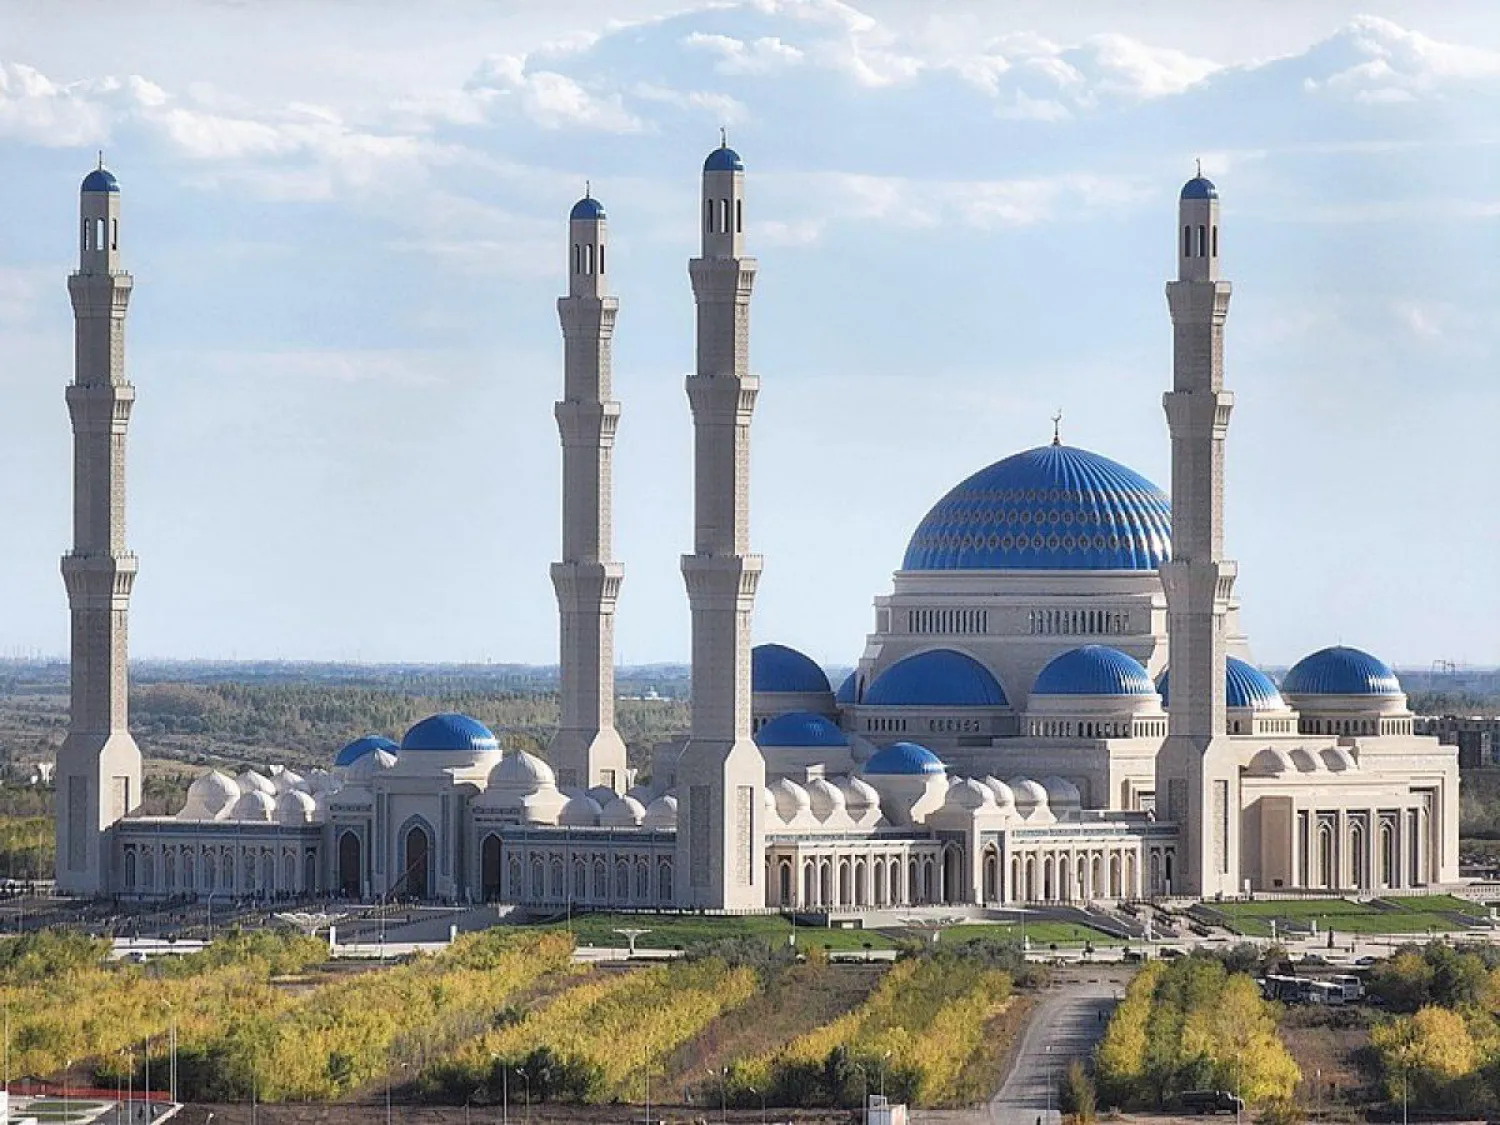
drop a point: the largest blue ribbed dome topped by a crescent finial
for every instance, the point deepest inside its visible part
(1054, 508)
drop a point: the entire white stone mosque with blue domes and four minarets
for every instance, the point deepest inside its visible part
(1057, 701)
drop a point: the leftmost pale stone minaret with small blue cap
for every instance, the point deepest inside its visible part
(100, 766)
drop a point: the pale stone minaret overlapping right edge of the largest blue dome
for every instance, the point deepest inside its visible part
(1198, 775)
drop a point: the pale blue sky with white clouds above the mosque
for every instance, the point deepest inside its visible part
(347, 227)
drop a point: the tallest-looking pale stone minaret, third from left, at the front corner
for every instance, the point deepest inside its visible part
(722, 775)
